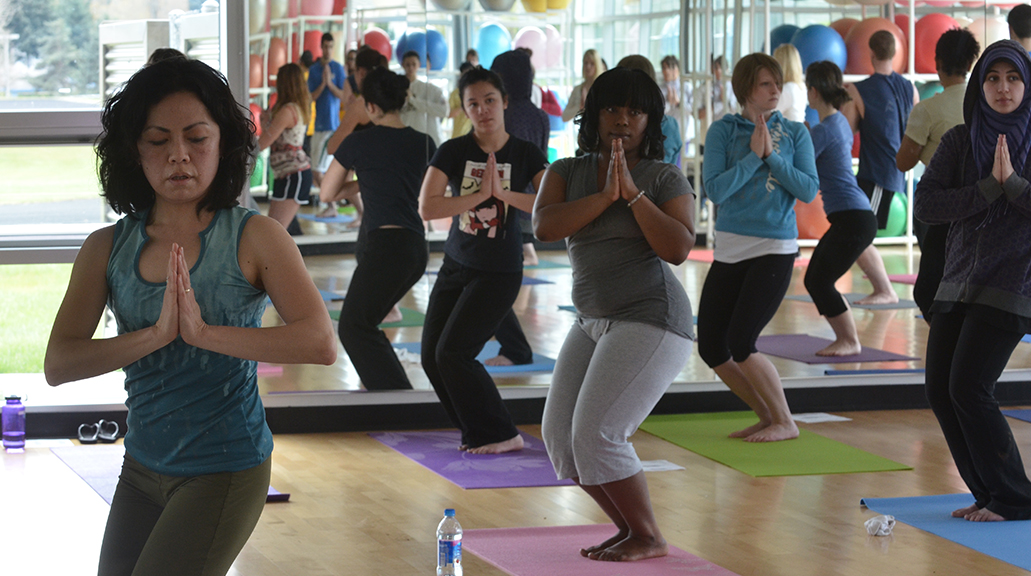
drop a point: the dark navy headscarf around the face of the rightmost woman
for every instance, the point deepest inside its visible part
(985, 124)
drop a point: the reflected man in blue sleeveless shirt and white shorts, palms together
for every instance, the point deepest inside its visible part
(326, 85)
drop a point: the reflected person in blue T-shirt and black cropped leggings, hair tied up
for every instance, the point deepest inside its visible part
(853, 224)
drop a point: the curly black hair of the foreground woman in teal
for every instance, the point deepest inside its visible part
(125, 186)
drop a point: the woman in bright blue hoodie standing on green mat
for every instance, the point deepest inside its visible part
(757, 165)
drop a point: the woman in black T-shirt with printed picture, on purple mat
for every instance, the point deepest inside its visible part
(481, 276)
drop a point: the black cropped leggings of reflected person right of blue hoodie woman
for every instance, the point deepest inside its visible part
(851, 233)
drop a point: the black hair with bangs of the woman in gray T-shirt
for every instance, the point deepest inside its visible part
(623, 87)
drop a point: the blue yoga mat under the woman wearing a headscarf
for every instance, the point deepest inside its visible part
(1007, 541)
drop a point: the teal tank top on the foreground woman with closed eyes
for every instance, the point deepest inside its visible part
(191, 412)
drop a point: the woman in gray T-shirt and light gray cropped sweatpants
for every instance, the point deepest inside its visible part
(623, 213)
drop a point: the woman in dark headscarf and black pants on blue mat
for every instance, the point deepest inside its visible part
(979, 184)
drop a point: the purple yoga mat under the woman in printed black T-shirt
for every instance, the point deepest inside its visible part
(439, 452)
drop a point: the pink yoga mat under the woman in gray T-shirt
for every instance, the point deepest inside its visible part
(555, 552)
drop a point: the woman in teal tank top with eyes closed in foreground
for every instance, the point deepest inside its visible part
(186, 274)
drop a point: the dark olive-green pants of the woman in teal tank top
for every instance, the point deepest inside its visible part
(181, 526)
